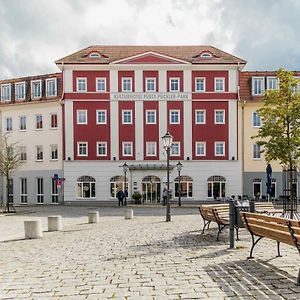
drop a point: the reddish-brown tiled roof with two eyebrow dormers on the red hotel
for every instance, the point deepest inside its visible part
(109, 54)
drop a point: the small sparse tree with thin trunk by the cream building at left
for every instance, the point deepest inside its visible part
(9, 161)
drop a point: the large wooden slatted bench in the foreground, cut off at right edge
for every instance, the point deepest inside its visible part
(278, 229)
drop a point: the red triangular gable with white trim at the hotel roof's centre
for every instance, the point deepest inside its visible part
(150, 58)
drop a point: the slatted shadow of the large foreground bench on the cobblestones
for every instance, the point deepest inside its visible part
(253, 278)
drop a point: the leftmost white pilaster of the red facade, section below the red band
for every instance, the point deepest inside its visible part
(69, 131)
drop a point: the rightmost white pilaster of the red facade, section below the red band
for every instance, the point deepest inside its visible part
(232, 128)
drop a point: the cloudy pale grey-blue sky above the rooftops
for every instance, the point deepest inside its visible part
(35, 33)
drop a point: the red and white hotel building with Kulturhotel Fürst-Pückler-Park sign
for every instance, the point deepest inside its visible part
(118, 101)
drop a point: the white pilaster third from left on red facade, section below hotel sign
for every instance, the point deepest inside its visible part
(139, 133)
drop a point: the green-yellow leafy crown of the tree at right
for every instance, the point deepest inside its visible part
(280, 131)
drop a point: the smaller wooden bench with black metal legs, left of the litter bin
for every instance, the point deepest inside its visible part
(218, 213)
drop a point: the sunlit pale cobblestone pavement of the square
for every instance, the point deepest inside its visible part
(143, 258)
